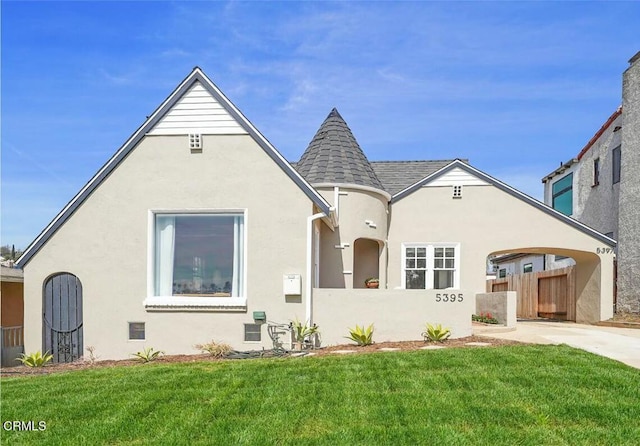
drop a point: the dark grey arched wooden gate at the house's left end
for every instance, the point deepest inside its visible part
(62, 321)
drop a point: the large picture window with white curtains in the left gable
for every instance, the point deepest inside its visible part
(199, 255)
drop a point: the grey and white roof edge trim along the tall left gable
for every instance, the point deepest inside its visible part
(196, 76)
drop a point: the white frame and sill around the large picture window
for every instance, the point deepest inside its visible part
(192, 303)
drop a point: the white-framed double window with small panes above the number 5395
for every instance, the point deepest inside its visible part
(431, 266)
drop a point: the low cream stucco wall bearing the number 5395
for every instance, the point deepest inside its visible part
(397, 315)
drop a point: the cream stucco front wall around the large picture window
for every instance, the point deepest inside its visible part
(106, 244)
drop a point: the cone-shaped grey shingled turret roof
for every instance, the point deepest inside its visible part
(334, 156)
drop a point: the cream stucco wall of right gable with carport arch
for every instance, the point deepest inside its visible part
(487, 220)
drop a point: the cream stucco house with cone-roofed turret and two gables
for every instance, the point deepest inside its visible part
(223, 236)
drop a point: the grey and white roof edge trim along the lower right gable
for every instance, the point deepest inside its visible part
(459, 164)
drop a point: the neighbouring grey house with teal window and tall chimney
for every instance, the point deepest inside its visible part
(600, 188)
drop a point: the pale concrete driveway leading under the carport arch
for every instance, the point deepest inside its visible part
(621, 344)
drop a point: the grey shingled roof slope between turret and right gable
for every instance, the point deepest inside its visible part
(398, 175)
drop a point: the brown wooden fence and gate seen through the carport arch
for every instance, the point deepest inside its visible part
(549, 294)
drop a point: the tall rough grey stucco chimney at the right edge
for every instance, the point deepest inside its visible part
(629, 217)
